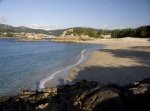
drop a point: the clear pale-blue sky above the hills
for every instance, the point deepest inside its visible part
(59, 14)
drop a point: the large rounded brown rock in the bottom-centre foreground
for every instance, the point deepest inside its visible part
(98, 99)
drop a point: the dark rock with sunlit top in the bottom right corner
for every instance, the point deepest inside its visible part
(137, 97)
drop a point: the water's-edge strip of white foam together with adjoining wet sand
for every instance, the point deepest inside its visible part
(57, 78)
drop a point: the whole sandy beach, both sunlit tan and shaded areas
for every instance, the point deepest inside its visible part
(122, 61)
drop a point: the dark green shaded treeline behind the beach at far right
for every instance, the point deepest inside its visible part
(142, 32)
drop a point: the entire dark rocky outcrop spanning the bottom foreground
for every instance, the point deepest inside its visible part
(82, 96)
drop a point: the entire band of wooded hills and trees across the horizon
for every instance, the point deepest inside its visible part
(142, 32)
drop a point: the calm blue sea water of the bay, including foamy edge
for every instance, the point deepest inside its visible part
(24, 65)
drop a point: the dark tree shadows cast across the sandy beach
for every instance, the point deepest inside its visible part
(121, 74)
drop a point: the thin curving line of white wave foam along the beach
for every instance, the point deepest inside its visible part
(42, 82)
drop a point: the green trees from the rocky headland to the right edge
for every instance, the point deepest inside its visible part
(141, 32)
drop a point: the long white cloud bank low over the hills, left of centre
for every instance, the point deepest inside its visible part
(41, 26)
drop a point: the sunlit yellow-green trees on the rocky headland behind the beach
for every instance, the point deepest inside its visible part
(88, 31)
